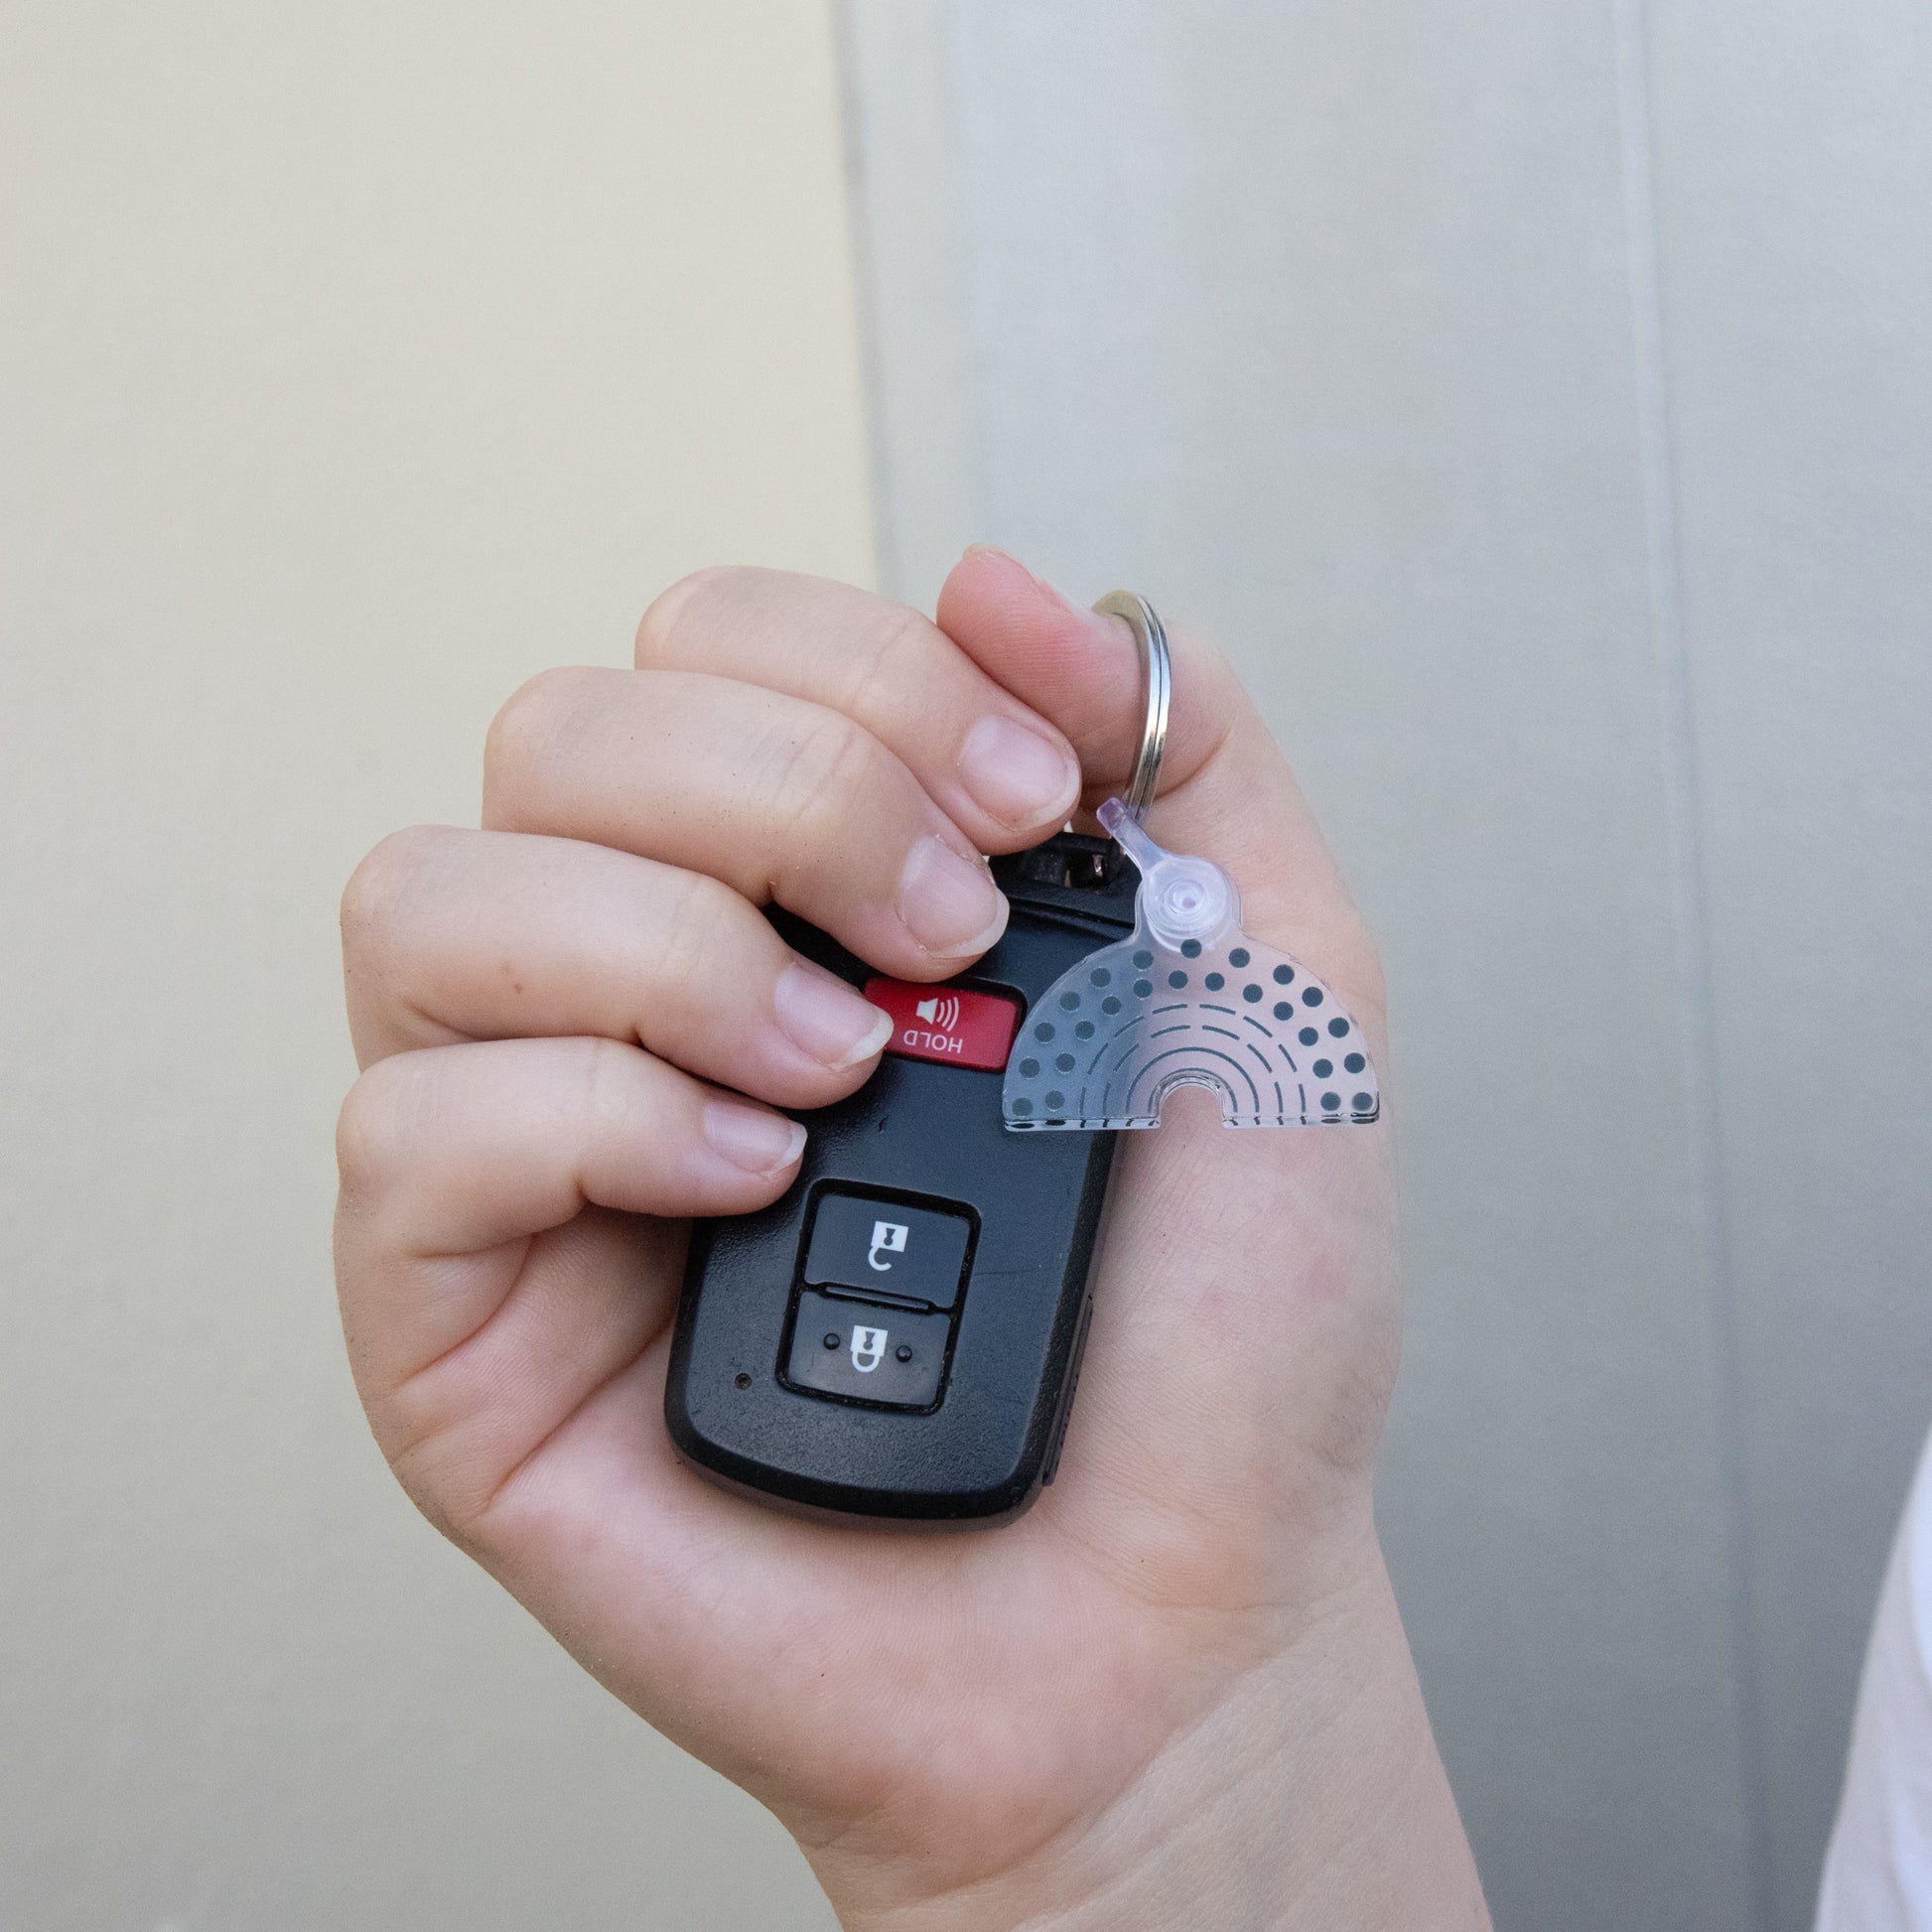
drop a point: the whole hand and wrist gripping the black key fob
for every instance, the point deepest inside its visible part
(1178, 1691)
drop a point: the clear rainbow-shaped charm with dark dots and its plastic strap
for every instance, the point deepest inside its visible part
(1187, 1002)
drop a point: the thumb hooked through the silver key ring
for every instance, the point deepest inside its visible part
(1226, 791)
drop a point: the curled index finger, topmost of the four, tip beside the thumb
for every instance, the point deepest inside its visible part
(990, 762)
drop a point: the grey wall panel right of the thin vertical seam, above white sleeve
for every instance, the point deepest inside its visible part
(1796, 210)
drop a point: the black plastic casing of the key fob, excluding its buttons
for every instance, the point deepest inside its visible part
(928, 1135)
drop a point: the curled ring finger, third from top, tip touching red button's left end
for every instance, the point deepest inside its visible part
(496, 936)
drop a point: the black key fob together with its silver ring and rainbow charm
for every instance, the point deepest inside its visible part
(899, 1334)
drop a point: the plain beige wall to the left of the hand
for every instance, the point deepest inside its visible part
(358, 362)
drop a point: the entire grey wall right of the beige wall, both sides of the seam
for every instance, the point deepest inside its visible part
(1579, 569)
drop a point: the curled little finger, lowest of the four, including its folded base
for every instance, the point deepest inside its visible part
(480, 1299)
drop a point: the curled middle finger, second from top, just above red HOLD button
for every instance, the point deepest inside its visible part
(766, 793)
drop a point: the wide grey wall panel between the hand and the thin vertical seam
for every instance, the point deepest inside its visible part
(1268, 318)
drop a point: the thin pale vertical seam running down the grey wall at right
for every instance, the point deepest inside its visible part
(1690, 911)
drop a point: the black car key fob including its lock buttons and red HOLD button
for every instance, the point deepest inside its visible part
(899, 1334)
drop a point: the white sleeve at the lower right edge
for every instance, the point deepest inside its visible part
(1879, 1871)
